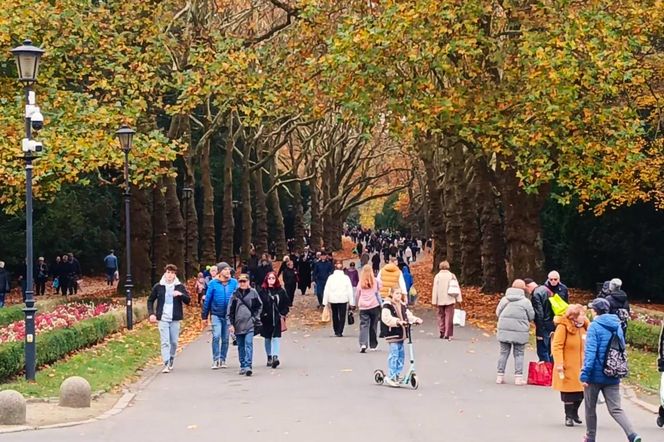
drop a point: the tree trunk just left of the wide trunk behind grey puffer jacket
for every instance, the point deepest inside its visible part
(494, 275)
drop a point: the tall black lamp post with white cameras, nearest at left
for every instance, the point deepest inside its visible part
(27, 61)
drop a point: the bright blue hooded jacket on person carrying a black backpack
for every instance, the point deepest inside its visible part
(597, 341)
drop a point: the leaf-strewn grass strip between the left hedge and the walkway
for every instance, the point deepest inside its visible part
(105, 366)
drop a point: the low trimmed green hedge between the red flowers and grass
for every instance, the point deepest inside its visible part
(56, 344)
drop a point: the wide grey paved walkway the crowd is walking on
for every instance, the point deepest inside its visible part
(324, 392)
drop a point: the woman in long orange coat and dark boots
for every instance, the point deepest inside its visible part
(567, 348)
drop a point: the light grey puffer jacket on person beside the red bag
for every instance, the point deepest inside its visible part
(514, 313)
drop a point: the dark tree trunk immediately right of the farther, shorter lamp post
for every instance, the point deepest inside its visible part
(140, 248)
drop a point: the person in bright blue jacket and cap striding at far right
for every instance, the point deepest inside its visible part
(593, 378)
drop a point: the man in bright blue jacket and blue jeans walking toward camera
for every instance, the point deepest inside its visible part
(217, 301)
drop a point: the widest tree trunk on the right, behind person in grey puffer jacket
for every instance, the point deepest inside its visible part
(523, 229)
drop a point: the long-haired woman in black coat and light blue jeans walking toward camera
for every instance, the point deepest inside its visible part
(275, 302)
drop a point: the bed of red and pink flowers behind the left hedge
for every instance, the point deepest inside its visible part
(62, 316)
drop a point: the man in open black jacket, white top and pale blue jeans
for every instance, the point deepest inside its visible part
(170, 295)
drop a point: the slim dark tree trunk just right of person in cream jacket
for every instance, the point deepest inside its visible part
(471, 257)
